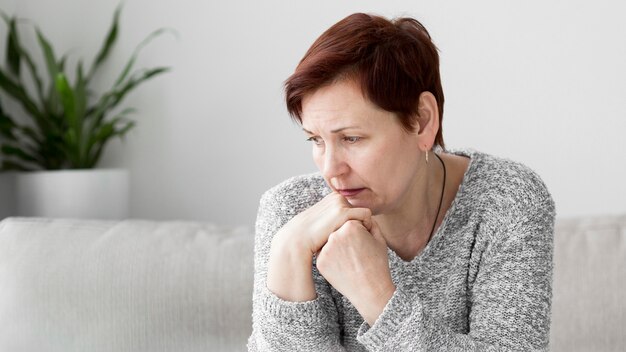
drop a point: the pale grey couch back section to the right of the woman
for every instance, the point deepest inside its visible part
(589, 309)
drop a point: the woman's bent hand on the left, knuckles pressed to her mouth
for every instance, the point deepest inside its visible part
(289, 274)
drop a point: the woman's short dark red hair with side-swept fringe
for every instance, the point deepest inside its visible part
(392, 61)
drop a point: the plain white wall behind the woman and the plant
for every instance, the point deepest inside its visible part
(541, 82)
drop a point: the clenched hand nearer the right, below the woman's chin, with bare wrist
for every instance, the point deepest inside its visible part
(354, 261)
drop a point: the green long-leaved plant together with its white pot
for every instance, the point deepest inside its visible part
(52, 150)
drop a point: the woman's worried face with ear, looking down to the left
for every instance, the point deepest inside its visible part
(362, 151)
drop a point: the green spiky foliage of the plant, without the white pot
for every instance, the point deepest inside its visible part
(71, 125)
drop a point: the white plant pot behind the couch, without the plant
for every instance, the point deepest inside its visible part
(87, 194)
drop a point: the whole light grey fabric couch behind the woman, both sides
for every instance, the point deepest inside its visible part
(80, 285)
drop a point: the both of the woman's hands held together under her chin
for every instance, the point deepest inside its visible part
(351, 255)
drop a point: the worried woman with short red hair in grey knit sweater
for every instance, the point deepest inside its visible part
(397, 244)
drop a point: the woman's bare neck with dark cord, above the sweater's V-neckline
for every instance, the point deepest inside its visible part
(408, 229)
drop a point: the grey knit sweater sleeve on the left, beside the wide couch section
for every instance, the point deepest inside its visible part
(280, 325)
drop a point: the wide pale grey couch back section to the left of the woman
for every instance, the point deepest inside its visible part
(69, 285)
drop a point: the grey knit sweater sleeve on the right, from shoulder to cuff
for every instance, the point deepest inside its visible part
(509, 302)
